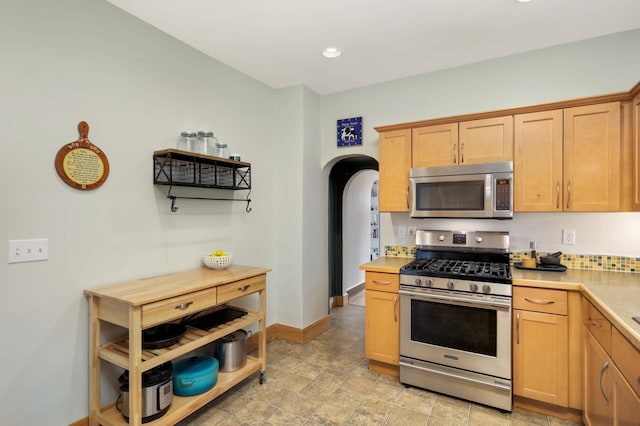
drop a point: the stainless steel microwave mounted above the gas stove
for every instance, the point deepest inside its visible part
(463, 191)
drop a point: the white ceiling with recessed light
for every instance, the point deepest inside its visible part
(279, 42)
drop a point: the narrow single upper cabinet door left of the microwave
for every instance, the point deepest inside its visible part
(394, 156)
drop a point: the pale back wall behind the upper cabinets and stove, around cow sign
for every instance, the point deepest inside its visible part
(592, 67)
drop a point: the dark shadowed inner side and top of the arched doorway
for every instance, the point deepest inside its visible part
(340, 174)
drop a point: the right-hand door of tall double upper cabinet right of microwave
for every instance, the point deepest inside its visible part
(592, 158)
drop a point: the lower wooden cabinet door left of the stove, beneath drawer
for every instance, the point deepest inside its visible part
(382, 330)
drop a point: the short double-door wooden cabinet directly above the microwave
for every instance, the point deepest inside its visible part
(468, 142)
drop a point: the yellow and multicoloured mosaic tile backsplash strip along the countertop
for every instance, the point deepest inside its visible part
(571, 261)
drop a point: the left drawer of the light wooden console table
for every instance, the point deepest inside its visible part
(177, 307)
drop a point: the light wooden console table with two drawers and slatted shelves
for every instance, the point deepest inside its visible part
(139, 304)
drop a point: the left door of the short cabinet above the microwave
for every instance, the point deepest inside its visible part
(435, 145)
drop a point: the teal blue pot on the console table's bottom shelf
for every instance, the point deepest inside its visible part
(194, 375)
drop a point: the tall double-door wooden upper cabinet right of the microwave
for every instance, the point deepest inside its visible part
(568, 160)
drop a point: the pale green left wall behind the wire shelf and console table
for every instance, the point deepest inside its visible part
(73, 60)
